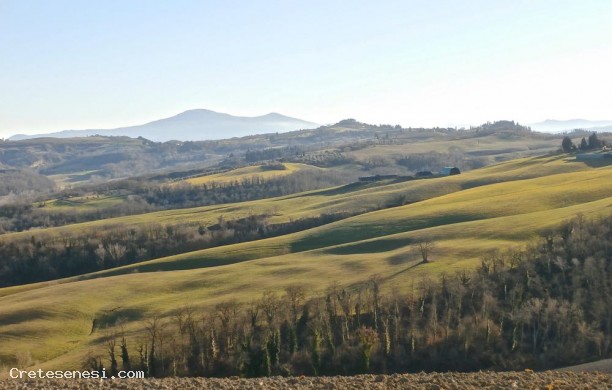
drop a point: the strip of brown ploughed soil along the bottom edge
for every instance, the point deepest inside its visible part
(482, 380)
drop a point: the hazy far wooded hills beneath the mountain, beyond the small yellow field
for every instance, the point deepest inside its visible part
(348, 144)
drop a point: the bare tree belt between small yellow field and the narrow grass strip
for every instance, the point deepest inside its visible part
(140, 197)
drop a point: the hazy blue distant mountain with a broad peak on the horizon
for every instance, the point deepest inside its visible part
(193, 125)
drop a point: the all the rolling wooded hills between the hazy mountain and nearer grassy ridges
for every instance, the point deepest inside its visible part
(53, 182)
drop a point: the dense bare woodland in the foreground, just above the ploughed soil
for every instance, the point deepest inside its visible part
(544, 307)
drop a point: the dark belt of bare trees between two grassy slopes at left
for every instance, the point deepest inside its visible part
(46, 257)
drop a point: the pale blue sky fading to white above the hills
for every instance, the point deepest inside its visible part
(103, 64)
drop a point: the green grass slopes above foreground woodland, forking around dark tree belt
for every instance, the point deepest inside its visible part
(467, 216)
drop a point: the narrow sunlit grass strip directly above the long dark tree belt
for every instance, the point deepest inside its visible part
(358, 197)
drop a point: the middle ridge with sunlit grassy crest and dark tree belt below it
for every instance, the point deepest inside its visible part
(147, 234)
